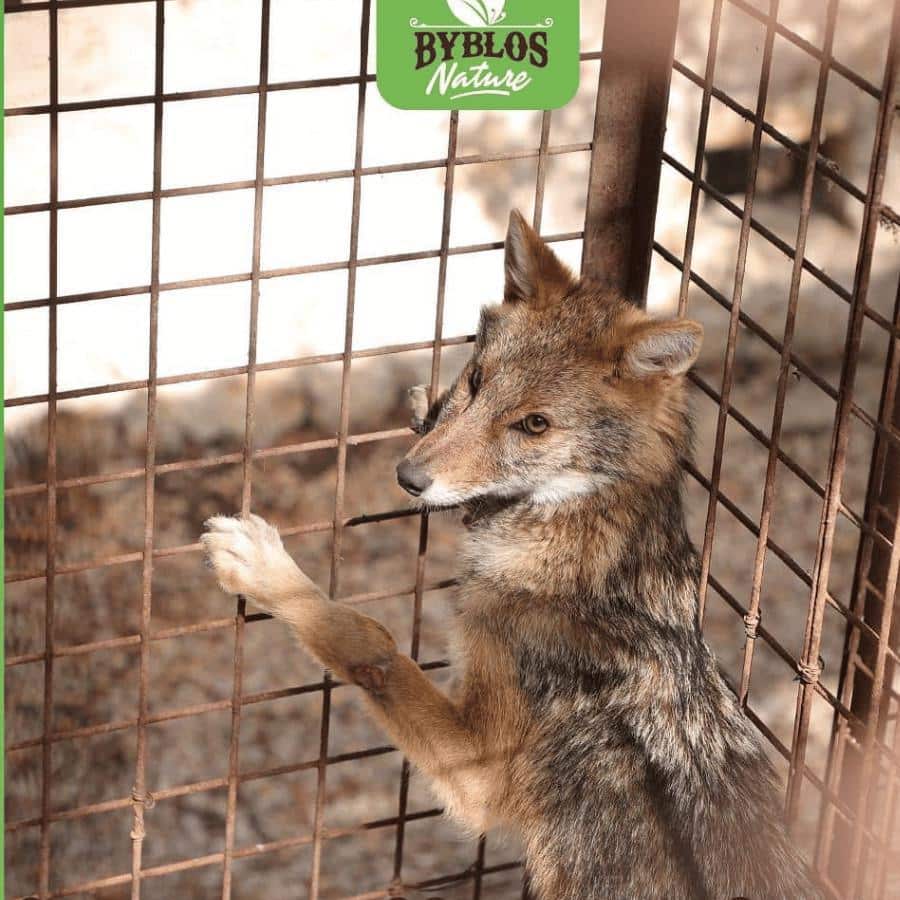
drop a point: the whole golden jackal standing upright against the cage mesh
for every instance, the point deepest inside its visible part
(589, 715)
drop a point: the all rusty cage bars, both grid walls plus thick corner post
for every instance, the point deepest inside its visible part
(866, 700)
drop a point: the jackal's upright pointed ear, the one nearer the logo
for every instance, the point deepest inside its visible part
(534, 273)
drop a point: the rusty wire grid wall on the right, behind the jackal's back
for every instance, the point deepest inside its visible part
(862, 706)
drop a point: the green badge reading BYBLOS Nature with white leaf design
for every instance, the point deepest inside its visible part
(478, 54)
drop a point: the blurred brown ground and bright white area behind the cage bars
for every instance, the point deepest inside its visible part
(104, 261)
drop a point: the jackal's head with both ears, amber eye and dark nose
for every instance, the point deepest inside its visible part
(570, 389)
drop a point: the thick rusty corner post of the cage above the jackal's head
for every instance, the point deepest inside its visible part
(629, 125)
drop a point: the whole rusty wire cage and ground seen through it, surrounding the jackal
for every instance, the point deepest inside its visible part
(226, 260)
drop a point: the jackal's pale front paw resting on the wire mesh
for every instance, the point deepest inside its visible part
(248, 558)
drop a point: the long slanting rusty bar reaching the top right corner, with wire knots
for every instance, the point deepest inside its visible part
(840, 436)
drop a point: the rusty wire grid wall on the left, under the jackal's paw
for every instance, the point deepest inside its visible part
(143, 795)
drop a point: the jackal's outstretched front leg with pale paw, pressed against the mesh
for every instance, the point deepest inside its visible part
(248, 558)
